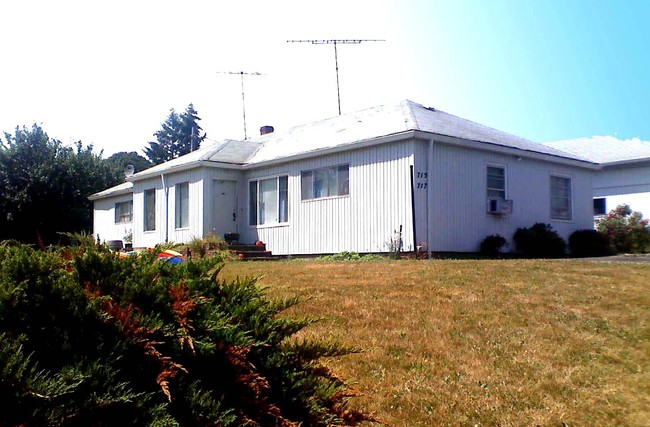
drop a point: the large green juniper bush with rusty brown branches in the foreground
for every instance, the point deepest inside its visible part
(91, 339)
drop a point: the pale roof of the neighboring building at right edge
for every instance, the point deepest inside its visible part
(605, 149)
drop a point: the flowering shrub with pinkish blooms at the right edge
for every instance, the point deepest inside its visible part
(627, 231)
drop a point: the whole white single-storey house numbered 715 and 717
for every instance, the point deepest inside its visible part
(351, 182)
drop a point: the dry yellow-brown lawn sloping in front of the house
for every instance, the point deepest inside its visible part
(508, 343)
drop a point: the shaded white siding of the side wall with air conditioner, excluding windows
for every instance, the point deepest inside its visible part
(459, 181)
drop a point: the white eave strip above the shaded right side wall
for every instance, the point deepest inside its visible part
(502, 149)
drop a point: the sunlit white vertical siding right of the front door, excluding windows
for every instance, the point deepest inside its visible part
(378, 203)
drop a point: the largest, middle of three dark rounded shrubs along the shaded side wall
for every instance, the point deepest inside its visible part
(539, 241)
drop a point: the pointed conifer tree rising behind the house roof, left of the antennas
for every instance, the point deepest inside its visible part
(179, 134)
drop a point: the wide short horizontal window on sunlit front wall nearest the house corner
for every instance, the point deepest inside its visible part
(325, 182)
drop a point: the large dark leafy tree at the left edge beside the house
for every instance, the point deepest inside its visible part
(44, 186)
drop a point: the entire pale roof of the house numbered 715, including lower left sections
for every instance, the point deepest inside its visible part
(348, 130)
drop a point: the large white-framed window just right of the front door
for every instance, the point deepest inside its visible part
(268, 201)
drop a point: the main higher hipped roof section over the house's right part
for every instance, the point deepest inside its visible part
(385, 120)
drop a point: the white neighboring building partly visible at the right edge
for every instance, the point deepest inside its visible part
(625, 174)
